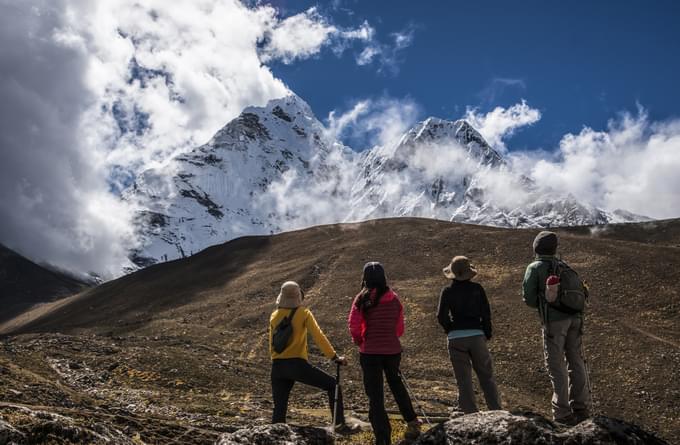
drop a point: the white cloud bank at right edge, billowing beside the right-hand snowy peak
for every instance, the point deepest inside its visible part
(630, 165)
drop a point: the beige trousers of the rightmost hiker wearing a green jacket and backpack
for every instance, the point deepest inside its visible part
(566, 367)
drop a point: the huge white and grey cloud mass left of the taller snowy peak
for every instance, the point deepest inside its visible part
(92, 93)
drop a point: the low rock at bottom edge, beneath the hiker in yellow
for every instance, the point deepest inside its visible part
(277, 434)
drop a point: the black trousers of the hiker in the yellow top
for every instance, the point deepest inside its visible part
(285, 372)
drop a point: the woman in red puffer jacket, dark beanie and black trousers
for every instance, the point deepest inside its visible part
(376, 321)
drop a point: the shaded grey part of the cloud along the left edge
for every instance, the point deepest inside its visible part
(55, 203)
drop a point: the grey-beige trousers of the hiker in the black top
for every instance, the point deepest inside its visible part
(469, 353)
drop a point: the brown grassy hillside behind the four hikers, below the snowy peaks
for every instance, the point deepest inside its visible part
(189, 336)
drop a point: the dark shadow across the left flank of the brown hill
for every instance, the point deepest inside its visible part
(153, 290)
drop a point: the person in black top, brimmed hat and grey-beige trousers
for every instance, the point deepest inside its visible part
(465, 315)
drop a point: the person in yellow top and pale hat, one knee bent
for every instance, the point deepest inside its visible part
(292, 365)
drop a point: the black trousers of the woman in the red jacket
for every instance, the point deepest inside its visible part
(373, 367)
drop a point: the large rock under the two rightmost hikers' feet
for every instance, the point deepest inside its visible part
(502, 427)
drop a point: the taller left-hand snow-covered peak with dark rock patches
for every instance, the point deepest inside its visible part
(212, 193)
